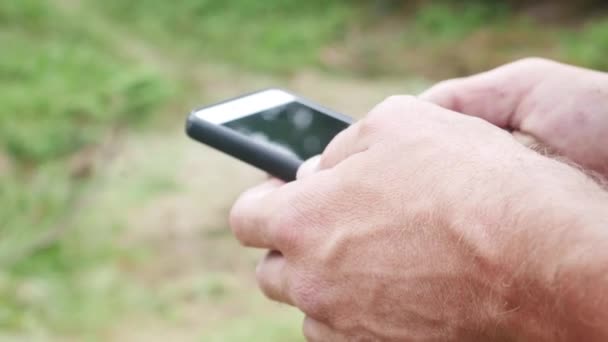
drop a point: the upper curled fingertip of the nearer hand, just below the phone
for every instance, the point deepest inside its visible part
(249, 215)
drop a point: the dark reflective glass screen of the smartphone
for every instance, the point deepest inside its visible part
(294, 128)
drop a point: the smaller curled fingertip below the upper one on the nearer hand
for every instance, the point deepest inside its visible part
(271, 275)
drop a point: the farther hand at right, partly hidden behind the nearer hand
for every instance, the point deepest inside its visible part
(564, 107)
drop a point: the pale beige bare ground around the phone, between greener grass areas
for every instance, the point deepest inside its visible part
(192, 261)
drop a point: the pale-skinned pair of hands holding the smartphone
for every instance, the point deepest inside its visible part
(419, 223)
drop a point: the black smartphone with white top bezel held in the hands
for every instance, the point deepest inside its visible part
(273, 130)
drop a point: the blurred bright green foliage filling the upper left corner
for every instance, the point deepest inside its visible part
(60, 85)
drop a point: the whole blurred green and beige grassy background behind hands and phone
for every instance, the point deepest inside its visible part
(113, 225)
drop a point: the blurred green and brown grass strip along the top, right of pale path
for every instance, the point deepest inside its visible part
(437, 39)
